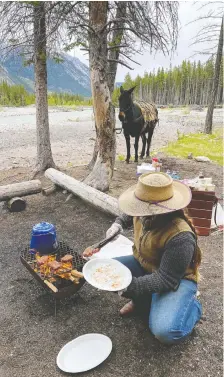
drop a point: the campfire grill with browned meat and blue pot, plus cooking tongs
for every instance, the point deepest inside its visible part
(55, 265)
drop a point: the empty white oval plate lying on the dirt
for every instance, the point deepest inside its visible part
(84, 353)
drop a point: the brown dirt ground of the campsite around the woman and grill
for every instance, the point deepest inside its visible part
(31, 335)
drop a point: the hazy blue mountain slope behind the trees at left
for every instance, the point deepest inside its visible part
(71, 75)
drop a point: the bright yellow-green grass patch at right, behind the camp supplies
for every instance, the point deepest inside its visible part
(200, 144)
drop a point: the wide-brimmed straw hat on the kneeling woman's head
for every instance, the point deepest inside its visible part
(154, 194)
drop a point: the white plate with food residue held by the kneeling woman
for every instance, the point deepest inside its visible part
(107, 274)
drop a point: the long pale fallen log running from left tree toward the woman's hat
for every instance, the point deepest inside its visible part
(90, 195)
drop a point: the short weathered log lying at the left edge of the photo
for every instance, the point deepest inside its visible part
(19, 189)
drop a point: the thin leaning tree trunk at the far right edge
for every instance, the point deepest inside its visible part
(209, 116)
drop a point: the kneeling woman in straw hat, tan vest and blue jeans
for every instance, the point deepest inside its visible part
(165, 258)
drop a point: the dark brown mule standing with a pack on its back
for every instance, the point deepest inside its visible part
(138, 119)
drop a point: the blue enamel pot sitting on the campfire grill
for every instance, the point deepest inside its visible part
(44, 238)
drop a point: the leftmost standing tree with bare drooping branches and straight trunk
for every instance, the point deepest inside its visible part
(34, 30)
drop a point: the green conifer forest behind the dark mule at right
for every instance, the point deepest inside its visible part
(187, 84)
